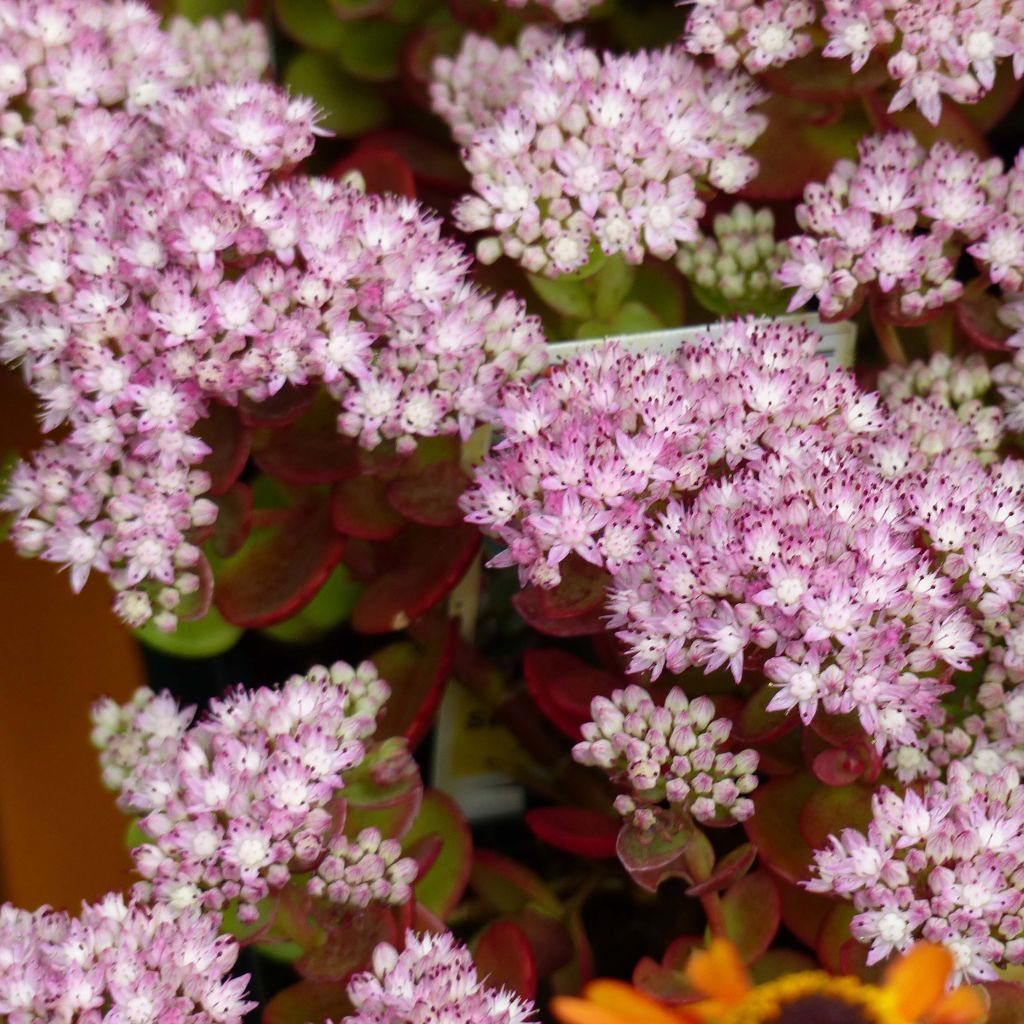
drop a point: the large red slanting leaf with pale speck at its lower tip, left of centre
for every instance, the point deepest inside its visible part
(421, 567)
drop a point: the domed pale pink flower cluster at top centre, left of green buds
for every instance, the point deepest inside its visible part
(602, 155)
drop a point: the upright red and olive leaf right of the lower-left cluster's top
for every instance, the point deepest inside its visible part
(417, 676)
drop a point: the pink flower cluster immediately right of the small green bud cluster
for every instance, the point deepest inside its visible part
(898, 221)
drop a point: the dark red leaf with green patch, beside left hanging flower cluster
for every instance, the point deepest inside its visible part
(287, 559)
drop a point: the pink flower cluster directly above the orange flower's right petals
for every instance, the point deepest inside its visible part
(945, 867)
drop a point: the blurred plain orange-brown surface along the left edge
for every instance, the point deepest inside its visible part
(61, 835)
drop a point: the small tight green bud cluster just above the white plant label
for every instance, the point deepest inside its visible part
(735, 271)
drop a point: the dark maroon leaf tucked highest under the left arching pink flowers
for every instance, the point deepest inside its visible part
(311, 450)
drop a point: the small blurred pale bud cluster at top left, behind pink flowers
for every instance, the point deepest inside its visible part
(229, 50)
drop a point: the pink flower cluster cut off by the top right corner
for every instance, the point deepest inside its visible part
(932, 50)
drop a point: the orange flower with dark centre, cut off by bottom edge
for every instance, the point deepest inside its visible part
(914, 993)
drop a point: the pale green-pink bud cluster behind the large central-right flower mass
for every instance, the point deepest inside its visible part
(960, 386)
